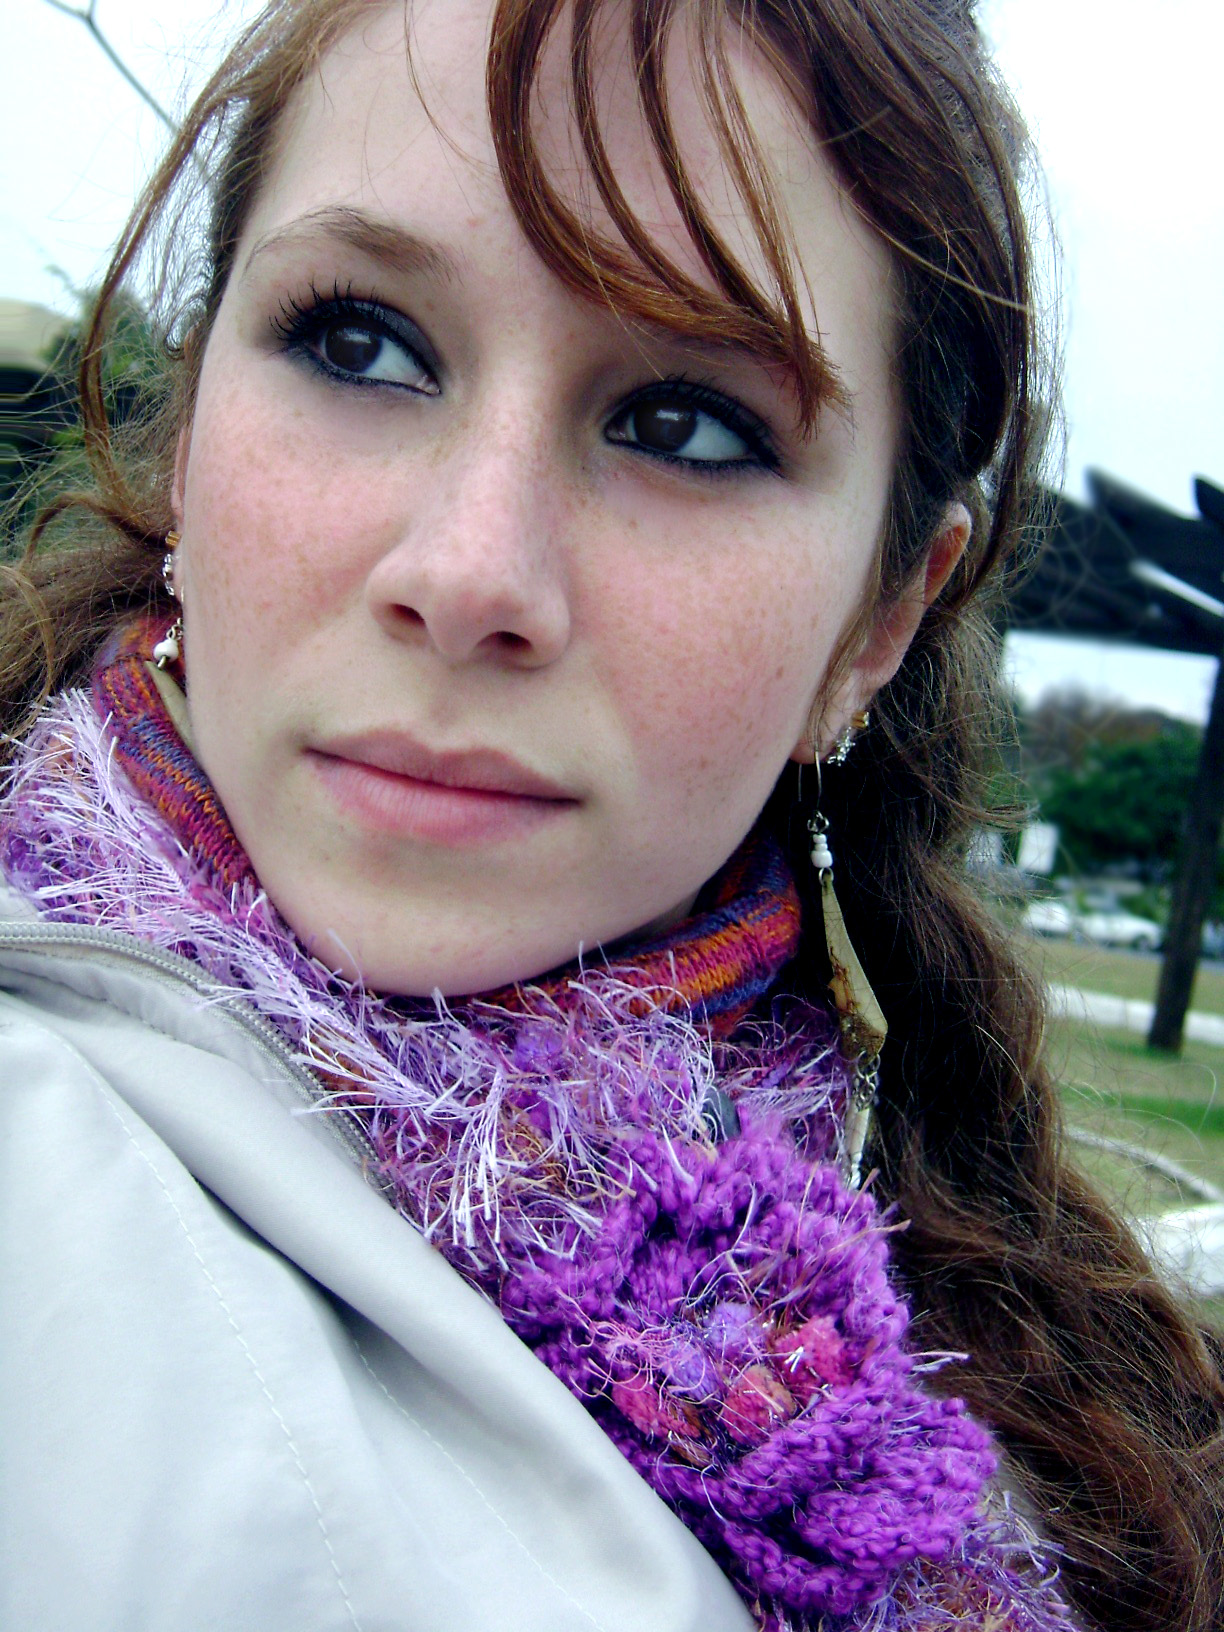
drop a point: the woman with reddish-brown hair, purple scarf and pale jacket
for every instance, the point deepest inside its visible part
(583, 420)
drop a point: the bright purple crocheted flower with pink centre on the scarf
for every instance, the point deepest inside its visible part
(701, 1275)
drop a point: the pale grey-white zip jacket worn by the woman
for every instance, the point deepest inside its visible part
(237, 1390)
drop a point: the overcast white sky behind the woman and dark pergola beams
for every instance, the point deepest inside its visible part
(1122, 95)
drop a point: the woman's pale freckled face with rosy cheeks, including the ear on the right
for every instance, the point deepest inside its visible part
(503, 614)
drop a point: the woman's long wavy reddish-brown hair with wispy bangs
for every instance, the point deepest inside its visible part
(1104, 1393)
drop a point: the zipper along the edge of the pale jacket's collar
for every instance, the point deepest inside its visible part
(123, 949)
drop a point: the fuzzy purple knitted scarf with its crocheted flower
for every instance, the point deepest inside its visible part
(657, 1212)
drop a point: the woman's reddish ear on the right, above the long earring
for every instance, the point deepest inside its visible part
(887, 642)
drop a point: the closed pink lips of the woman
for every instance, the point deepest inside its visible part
(391, 783)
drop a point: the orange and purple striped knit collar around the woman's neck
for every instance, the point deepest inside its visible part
(716, 964)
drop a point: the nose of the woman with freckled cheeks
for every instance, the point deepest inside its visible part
(476, 572)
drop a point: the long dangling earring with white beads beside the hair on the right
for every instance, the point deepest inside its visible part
(859, 1014)
